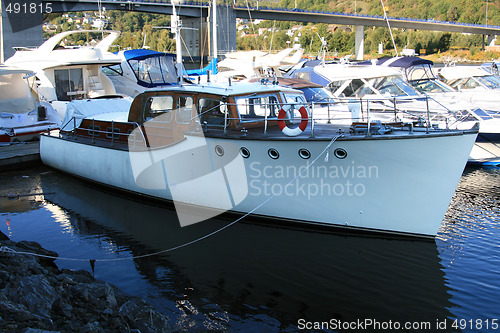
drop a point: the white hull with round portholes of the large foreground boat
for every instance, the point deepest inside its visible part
(398, 185)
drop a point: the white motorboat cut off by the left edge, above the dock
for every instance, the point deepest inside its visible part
(22, 116)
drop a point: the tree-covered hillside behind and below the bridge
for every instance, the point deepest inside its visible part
(140, 29)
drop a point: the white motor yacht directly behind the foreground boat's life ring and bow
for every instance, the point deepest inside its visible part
(387, 95)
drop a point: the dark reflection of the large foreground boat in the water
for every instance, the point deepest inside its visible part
(288, 274)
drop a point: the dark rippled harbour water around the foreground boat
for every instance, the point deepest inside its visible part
(252, 277)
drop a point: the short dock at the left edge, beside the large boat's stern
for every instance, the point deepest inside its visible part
(19, 155)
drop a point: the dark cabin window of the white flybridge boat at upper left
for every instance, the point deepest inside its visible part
(69, 83)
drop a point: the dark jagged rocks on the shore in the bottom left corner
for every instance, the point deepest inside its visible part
(35, 296)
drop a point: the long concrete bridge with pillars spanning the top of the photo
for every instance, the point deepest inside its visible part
(191, 11)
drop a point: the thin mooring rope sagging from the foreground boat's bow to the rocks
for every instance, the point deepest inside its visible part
(92, 261)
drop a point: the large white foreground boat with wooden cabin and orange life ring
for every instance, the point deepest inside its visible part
(211, 149)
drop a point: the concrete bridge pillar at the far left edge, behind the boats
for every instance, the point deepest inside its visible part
(28, 37)
